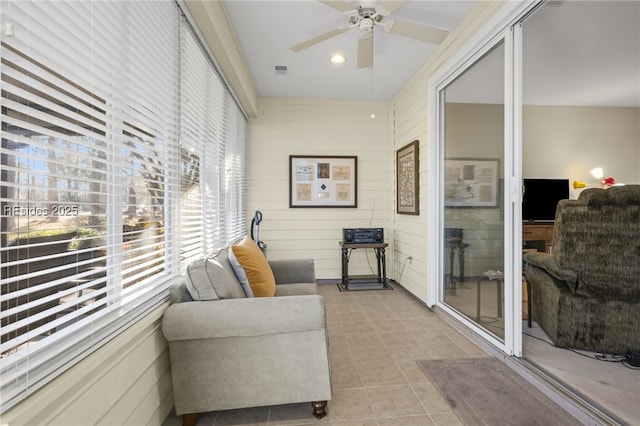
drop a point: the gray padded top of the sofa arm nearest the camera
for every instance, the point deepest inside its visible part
(258, 316)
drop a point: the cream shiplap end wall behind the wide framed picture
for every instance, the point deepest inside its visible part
(319, 127)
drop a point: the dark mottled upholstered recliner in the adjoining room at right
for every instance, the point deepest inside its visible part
(586, 294)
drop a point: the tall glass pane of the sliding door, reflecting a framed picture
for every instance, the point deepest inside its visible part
(472, 107)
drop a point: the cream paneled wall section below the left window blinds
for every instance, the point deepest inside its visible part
(125, 382)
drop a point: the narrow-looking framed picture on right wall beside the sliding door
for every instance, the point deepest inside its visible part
(407, 190)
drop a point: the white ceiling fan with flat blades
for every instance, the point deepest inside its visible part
(365, 17)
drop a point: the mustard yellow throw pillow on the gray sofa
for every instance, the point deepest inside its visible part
(255, 266)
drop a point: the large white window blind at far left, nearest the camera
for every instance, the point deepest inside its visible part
(89, 148)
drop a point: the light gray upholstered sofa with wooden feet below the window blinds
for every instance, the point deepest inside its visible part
(233, 351)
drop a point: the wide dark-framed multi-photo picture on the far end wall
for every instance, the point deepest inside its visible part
(323, 181)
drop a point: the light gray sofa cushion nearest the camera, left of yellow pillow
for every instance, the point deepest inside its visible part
(211, 279)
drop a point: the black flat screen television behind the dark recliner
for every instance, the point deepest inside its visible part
(541, 197)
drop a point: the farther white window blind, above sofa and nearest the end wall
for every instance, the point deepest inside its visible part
(212, 136)
